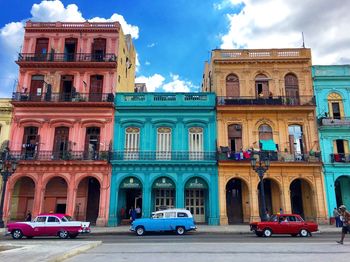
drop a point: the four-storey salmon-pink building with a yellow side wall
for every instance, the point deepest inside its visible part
(63, 117)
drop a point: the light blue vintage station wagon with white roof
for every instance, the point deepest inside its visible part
(178, 220)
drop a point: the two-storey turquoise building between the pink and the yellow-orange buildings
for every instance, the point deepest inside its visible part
(164, 155)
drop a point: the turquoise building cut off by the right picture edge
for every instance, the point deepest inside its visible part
(332, 90)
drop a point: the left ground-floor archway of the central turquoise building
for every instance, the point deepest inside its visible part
(130, 196)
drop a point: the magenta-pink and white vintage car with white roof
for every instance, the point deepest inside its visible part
(48, 225)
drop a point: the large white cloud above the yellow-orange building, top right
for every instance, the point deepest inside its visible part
(279, 23)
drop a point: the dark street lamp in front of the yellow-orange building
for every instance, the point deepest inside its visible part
(260, 163)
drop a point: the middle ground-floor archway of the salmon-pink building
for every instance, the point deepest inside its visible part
(55, 199)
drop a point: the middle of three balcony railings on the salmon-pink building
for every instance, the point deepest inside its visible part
(63, 97)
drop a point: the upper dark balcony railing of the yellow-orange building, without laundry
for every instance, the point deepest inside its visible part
(276, 100)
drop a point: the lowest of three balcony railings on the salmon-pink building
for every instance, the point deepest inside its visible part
(60, 155)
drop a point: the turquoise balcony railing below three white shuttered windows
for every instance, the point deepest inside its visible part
(161, 156)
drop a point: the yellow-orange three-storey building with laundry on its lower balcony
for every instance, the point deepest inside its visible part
(265, 102)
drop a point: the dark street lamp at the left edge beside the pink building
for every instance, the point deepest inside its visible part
(8, 166)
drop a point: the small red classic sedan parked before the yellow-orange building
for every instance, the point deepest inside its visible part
(284, 224)
